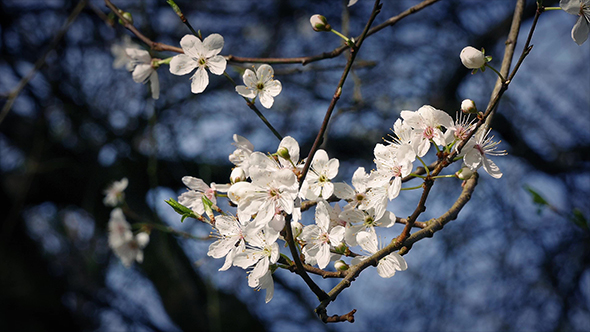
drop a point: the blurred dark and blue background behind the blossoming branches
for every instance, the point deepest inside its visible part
(511, 261)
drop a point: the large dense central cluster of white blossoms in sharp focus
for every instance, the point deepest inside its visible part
(265, 189)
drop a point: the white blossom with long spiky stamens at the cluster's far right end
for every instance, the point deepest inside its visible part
(476, 151)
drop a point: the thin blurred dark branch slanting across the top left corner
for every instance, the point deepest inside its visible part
(41, 61)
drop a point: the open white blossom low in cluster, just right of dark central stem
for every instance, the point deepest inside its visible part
(319, 237)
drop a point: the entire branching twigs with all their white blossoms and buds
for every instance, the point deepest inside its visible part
(273, 193)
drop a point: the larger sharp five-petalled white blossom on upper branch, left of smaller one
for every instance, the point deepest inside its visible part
(201, 55)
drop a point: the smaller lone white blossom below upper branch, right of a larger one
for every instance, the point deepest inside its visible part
(261, 84)
